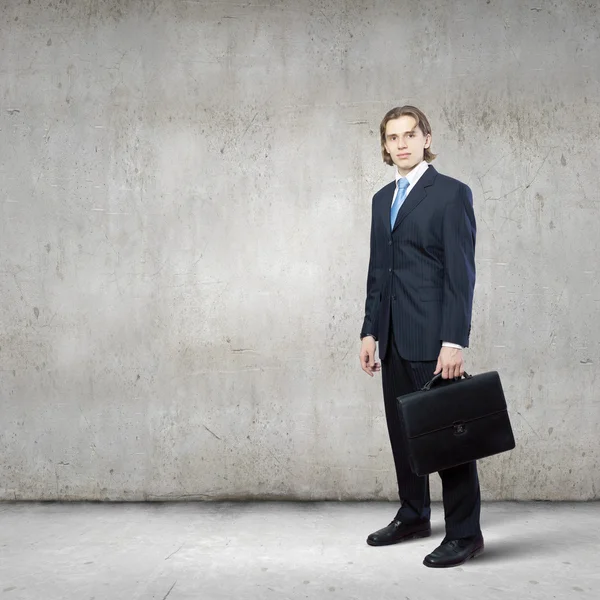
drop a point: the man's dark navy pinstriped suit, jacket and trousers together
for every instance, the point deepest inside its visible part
(420, 293)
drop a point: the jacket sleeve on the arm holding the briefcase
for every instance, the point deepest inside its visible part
(459, 231)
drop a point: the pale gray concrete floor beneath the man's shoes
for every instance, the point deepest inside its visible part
(280, 551)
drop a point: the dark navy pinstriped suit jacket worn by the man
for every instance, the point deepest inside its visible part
(422, 272)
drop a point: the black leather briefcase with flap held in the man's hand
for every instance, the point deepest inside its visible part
(453, 421)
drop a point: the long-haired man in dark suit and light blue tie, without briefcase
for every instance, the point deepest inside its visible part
(419, 300)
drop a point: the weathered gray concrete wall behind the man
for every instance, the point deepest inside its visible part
(185, 202)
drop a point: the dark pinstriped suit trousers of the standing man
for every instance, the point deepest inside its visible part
(460, 485)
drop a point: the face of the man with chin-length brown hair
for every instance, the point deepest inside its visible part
(405, 143)
